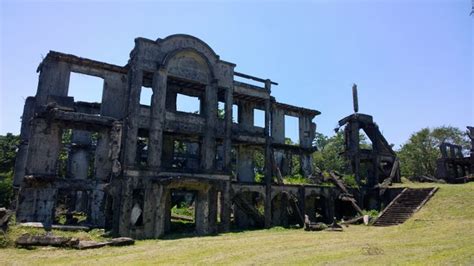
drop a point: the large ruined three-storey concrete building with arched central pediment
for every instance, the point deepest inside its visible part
(124, 163)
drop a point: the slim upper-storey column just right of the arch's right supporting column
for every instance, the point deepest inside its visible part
(228, 129)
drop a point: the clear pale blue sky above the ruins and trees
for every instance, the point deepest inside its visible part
(412, 60)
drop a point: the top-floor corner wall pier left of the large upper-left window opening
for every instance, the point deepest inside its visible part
(53, 80)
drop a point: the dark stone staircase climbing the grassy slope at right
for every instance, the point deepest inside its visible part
(402, 207)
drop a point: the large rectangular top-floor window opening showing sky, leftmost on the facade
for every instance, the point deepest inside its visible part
(85, 88)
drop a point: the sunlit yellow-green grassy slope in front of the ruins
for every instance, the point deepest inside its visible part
(441, 232)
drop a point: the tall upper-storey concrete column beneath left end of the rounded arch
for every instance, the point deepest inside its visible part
(157, 118)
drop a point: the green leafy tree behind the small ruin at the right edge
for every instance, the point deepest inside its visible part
(418, 156)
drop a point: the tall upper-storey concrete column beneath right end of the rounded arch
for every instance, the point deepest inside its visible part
(208, 147)
